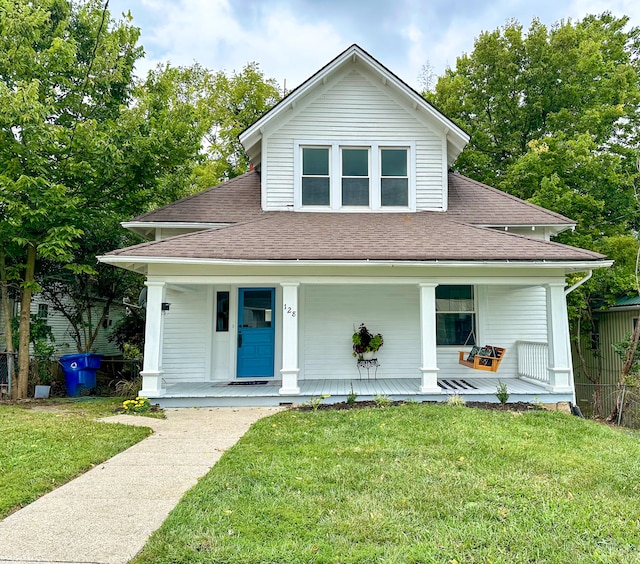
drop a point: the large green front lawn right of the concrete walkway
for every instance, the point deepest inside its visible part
(414, 483)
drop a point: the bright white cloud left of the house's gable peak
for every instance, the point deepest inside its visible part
(209, 32)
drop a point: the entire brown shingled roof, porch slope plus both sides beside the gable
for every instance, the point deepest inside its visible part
(253, 234)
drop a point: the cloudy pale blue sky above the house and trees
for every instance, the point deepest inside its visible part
(292, 39)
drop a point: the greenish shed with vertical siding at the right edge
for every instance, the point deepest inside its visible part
(597, 358)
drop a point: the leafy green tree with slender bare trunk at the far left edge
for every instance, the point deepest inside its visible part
(65, 69)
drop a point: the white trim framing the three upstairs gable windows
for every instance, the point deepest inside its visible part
(335, 181)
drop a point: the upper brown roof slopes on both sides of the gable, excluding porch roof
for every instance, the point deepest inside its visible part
(469, 201)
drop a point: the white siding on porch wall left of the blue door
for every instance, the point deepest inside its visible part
(187, 335)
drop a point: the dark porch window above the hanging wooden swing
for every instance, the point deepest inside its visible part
(455, 315)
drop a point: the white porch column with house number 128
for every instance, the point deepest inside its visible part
(290, 368)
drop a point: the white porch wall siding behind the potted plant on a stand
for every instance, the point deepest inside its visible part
(330, 314)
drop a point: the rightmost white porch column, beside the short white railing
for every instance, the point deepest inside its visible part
(560, 370)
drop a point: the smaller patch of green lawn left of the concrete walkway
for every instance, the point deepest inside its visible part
(42, 449)
